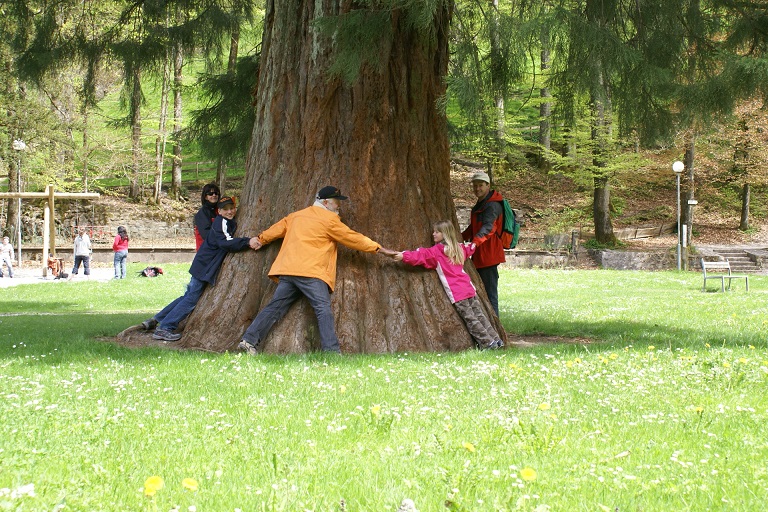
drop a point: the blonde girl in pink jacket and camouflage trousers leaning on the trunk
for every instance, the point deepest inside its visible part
(447, 256)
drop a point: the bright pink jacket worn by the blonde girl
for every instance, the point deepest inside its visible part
(456, 282)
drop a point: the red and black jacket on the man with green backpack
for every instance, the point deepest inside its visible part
(484, 230)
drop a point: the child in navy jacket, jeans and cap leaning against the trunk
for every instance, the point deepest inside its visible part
(204, 269)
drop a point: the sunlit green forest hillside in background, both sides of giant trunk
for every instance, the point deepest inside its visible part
(578, 98)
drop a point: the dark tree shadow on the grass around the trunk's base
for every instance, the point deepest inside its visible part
(68, 337)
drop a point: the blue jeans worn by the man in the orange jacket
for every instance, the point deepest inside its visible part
(289, 290)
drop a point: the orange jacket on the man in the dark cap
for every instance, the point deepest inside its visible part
(309, 244)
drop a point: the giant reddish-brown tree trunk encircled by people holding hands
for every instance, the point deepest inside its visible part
(383, 142)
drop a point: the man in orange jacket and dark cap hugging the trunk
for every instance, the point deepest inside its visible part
(306, 265)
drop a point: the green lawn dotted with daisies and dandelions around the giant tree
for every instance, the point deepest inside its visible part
(664, 409)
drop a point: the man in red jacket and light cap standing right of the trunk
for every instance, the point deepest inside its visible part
(484, 230)
